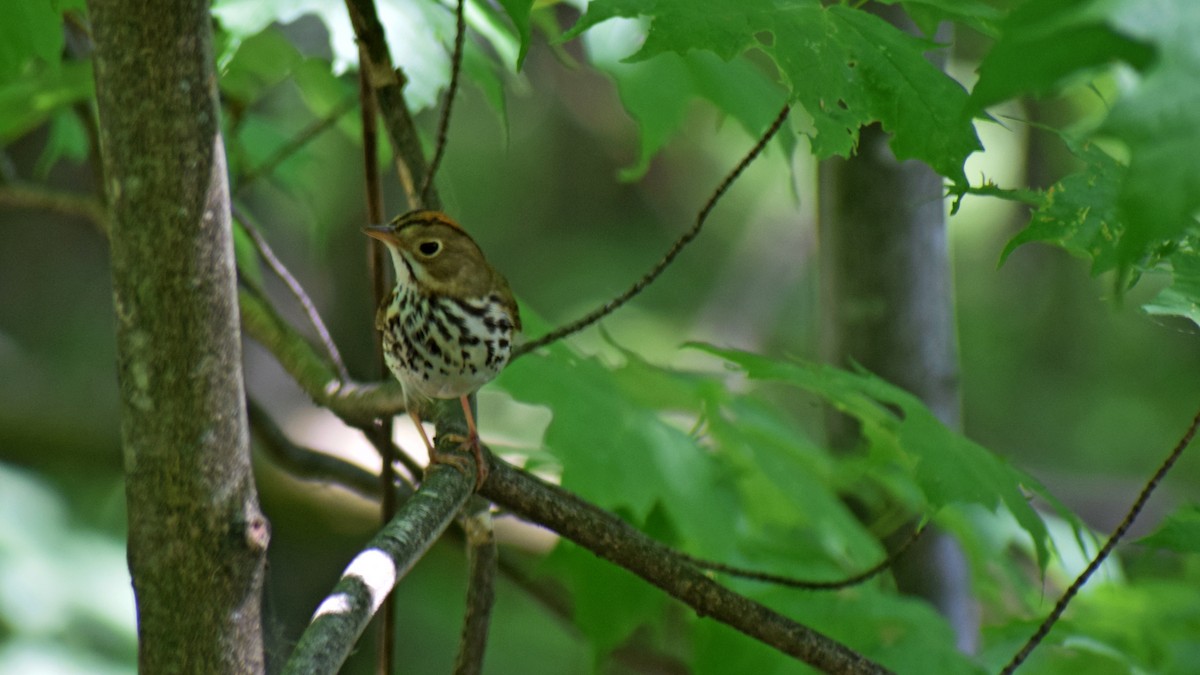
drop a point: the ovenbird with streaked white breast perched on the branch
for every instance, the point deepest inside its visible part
(448, 326)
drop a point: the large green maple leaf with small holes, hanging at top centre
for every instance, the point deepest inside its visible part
(848, 68)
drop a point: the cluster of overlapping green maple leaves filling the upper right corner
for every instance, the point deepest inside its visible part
(1119, 214)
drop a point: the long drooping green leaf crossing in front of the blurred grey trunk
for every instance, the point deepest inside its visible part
(949, 467)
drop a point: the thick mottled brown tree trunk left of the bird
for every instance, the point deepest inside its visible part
(197, 539)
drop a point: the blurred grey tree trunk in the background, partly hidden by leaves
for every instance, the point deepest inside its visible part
(887, 304)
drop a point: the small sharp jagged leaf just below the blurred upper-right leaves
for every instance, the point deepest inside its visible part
(1079, 213)
